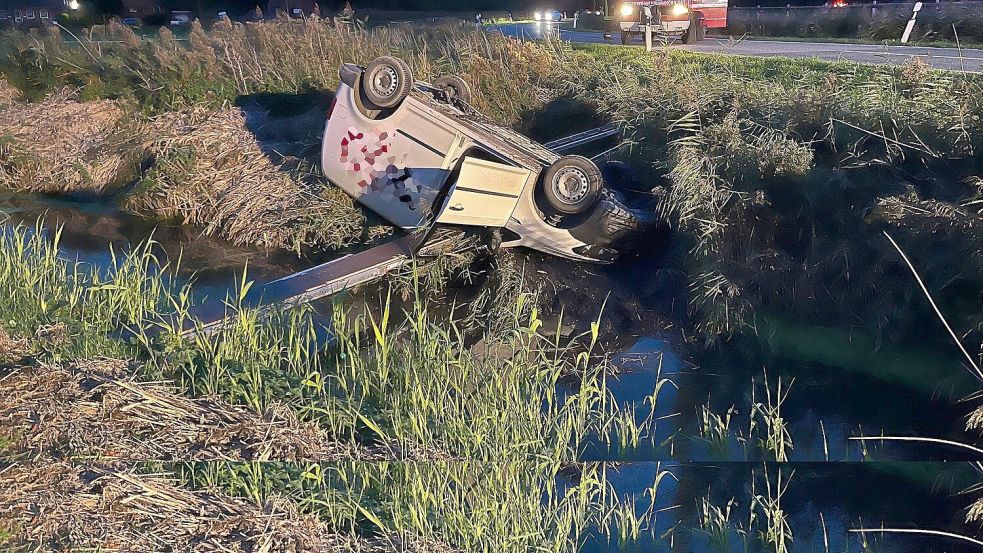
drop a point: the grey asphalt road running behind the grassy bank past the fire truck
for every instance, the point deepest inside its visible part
(940, 58)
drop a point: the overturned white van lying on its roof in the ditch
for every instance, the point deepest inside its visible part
(418, 154)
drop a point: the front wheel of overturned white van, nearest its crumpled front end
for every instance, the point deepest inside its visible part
(572, 184)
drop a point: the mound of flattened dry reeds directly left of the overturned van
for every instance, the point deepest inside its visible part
(211, 171)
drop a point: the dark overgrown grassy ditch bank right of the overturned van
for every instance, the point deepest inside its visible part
(782, 177)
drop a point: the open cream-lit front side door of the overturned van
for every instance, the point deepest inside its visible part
(484, 194)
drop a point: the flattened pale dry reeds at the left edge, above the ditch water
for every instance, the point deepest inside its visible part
(61, 145)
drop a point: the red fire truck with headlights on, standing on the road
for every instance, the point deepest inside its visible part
(687, 20)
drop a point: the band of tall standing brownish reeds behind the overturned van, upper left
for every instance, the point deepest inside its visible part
(279, 56)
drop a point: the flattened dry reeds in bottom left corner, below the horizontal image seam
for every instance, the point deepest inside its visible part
(61, 506)
